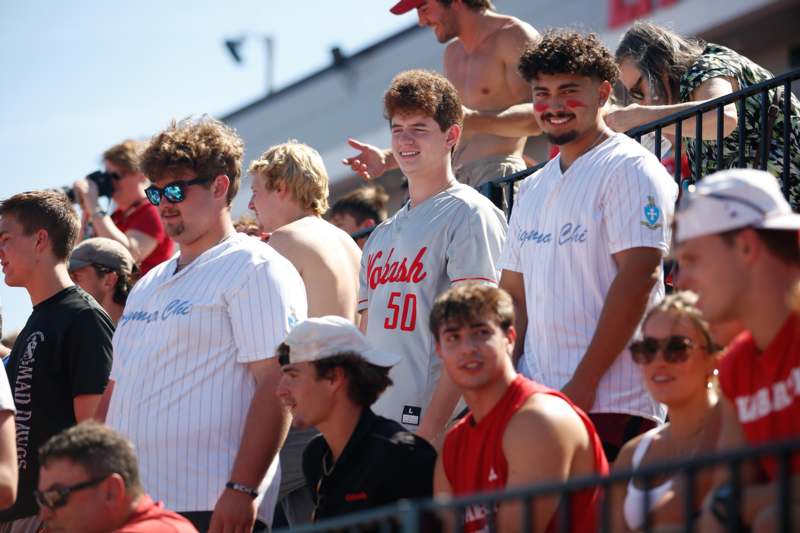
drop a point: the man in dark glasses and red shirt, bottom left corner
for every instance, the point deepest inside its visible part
(89, 483)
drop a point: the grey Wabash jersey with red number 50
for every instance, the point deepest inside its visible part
(407, 262)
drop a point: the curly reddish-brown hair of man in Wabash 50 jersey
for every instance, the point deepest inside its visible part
(426, 92)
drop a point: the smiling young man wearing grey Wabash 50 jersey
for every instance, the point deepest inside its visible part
(445, 234)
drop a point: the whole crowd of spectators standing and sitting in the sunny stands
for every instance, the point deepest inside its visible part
(447, 353)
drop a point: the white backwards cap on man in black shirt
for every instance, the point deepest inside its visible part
(321, 337)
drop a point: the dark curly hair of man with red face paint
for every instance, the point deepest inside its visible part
(568, 52)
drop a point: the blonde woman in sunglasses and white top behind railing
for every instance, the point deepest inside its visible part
(677, 358)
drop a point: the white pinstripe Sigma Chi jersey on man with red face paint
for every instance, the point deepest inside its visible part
(562, 234)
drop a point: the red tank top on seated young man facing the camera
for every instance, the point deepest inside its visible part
(473, 458)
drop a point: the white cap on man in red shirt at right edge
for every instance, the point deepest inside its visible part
(733, 199)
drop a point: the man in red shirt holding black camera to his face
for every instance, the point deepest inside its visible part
(135, 222)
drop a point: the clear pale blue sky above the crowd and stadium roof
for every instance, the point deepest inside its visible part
(77, 77)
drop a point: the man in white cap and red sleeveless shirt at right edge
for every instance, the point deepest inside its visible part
(737, 244)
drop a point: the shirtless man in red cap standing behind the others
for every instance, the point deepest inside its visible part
(481, 61)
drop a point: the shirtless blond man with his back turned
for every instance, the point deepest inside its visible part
(290, 194)
